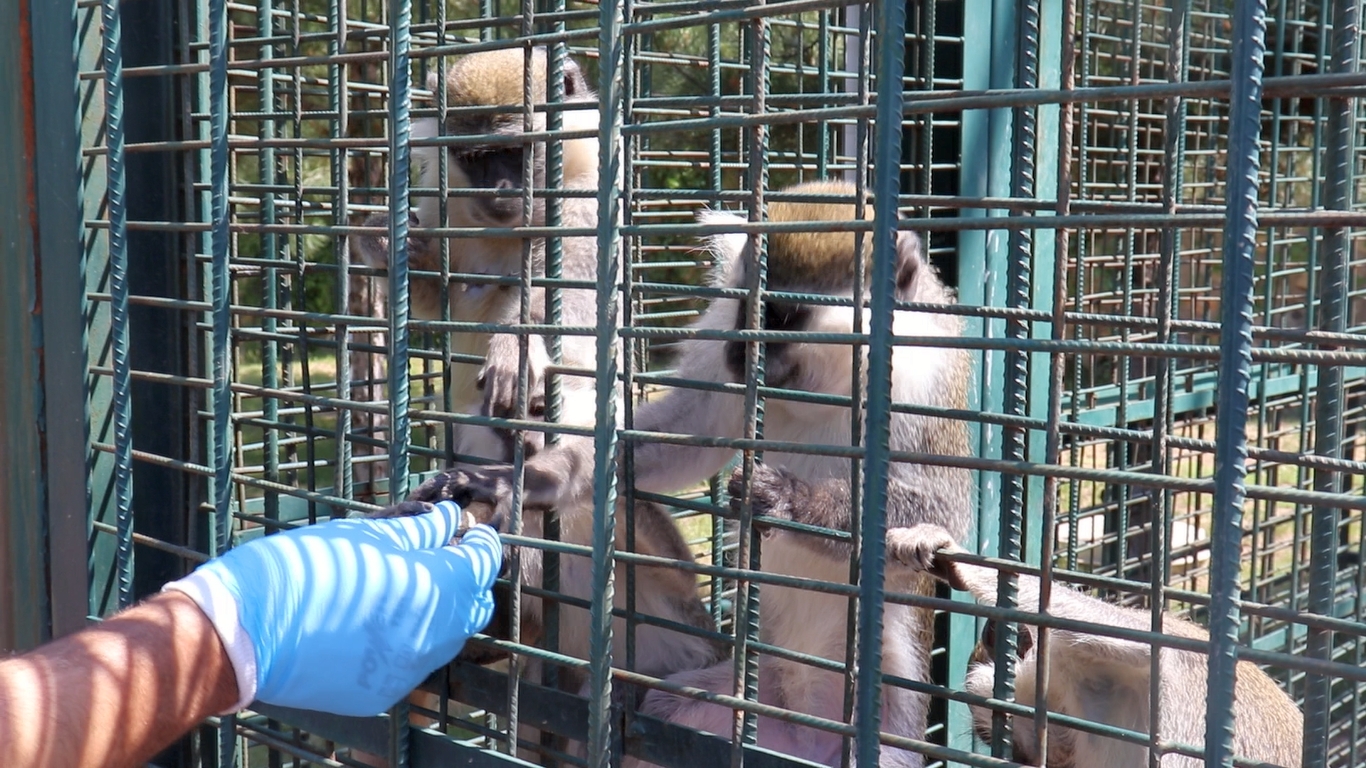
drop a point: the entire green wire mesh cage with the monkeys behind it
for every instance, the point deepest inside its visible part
(1152, 218)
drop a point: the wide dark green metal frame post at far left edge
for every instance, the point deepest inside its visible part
(42, 338)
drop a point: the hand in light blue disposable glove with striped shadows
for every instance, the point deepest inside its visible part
(349, 616)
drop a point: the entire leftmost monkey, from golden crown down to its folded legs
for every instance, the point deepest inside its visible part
(490, 80)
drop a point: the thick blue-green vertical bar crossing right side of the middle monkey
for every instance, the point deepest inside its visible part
(887, 187)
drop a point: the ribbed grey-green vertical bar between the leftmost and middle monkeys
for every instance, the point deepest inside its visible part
(611, 96)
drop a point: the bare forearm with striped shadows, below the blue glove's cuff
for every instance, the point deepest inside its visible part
(115, 694)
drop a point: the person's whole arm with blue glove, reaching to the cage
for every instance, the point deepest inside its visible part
(344, 617)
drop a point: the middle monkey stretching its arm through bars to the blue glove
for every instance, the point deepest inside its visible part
(801, 621)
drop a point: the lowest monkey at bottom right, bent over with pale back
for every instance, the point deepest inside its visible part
(1103, 678)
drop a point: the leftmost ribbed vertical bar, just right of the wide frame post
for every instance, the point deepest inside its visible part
(120, 293)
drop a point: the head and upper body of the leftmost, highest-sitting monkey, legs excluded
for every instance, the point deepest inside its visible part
(492, 80)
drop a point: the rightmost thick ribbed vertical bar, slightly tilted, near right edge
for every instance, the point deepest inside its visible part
(1341, 162)
